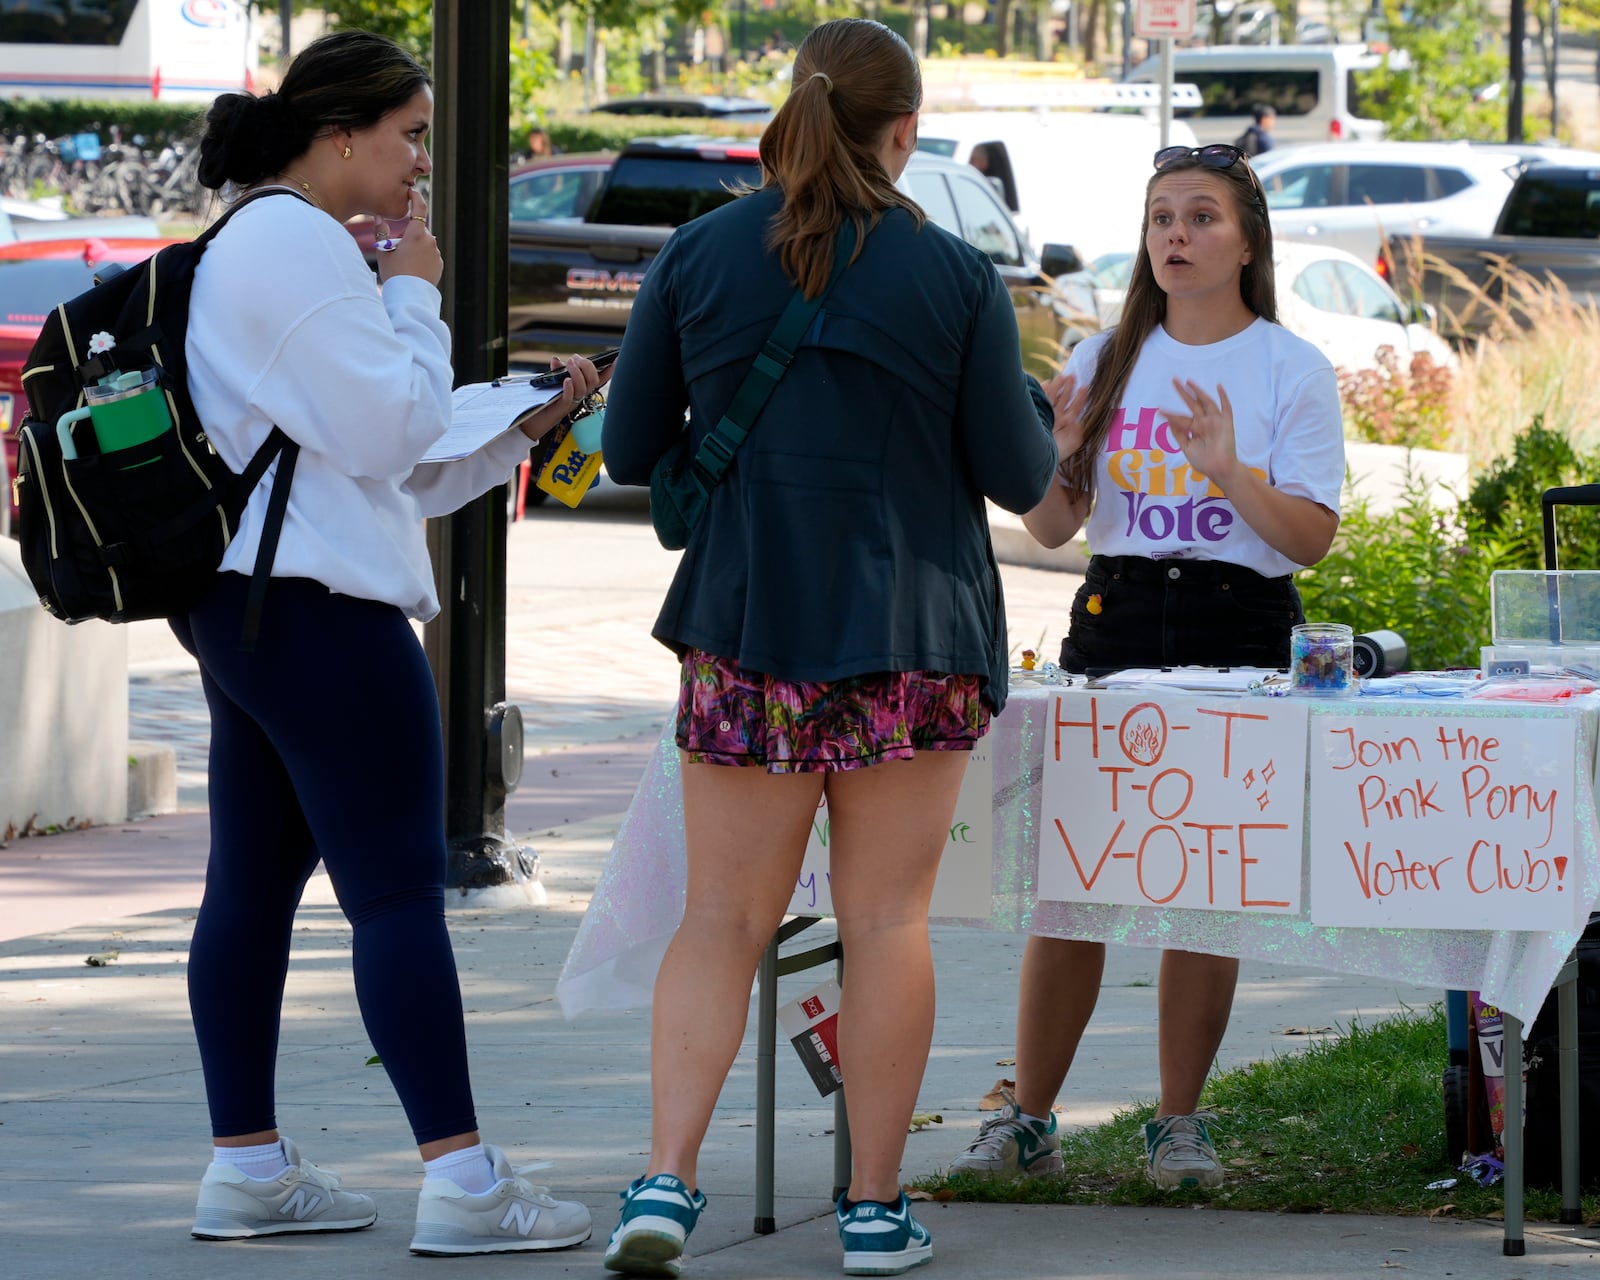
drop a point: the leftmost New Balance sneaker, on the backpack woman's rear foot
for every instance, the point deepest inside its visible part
(303, 1198)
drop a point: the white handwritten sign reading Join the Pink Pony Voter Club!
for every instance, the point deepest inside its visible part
(1449, 822)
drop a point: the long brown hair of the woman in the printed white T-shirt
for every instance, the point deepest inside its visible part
(1145, 306)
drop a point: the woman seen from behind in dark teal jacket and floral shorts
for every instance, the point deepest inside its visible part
(838, 610)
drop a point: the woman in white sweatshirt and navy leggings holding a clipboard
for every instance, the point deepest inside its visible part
(326, 737)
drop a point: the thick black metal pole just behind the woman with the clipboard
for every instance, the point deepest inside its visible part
(466, 644)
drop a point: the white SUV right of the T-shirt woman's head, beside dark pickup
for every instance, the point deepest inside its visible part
(1354, 194)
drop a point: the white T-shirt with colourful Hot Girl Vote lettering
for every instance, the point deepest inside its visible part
(1287, 430)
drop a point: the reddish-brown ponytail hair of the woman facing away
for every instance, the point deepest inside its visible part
(852, 81)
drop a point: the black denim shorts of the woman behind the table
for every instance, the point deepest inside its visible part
(1164, 614)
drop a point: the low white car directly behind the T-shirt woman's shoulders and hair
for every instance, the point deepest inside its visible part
(1327, 297)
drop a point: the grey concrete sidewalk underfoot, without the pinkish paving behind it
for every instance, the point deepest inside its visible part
(105, 1129)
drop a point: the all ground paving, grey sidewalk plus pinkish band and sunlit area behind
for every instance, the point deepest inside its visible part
(103, 1121)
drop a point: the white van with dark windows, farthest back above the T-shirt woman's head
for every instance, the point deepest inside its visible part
(1311, 87)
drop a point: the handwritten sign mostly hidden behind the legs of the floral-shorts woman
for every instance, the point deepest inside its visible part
(962, 890)
